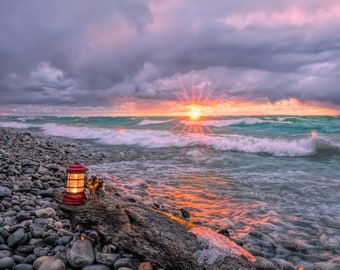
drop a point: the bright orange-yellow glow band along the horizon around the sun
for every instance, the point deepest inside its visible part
(226, 108)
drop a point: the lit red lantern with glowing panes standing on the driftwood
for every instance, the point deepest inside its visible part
(75, 185)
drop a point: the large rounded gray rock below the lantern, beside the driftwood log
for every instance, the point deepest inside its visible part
(81, 254)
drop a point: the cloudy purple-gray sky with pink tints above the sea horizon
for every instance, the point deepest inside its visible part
(139, 57)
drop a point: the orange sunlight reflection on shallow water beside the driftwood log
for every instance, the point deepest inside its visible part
(215, 209)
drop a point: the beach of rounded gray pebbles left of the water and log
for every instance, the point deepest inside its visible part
(33, 232)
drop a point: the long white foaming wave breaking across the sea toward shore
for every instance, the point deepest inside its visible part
(291, 146)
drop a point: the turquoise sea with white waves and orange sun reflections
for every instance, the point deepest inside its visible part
(277, 175)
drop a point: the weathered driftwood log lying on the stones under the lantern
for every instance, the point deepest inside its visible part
(166, 241)
